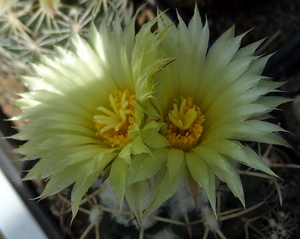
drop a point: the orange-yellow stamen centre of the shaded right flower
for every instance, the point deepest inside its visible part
(184, 125)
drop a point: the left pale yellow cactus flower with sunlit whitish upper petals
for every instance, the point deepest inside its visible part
(84, 109)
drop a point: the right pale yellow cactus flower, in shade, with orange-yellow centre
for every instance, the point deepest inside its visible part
(207, 101)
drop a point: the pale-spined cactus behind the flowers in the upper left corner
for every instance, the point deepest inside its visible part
(29, 28)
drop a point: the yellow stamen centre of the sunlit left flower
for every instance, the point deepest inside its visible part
(113, 124)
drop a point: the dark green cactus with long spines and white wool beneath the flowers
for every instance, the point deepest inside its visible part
(264, 217)
